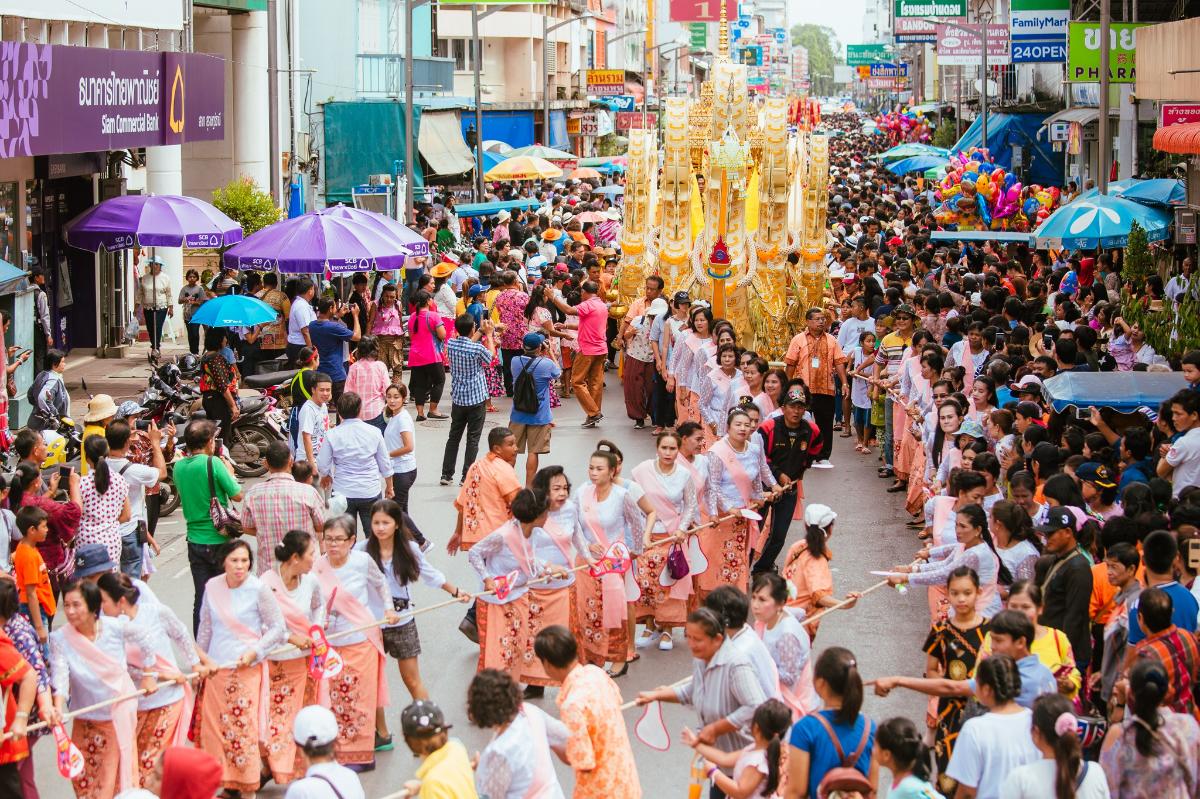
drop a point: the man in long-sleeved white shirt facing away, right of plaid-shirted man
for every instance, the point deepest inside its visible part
(353, 461)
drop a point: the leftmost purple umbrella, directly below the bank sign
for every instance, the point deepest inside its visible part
(152, 221)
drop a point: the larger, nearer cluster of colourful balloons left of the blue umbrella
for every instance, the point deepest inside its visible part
(979, 195)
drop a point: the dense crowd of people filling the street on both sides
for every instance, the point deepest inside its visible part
(1059, 552)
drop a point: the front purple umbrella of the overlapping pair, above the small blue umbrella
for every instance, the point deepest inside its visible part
(314, 243)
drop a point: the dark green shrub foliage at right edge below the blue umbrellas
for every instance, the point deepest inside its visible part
(1172, 331)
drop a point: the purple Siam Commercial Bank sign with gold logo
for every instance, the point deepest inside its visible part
(56, 99)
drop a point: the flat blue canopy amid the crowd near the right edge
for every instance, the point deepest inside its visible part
(1123, 392)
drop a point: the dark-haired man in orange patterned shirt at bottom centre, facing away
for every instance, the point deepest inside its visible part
(590, 705)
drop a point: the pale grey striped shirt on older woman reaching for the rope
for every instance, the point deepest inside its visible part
(725, 688)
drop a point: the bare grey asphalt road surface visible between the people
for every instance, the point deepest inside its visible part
(886, 630)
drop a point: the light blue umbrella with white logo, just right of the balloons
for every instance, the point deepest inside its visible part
(1101, 221)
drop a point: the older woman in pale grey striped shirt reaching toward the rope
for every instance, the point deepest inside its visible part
(724, 688)
